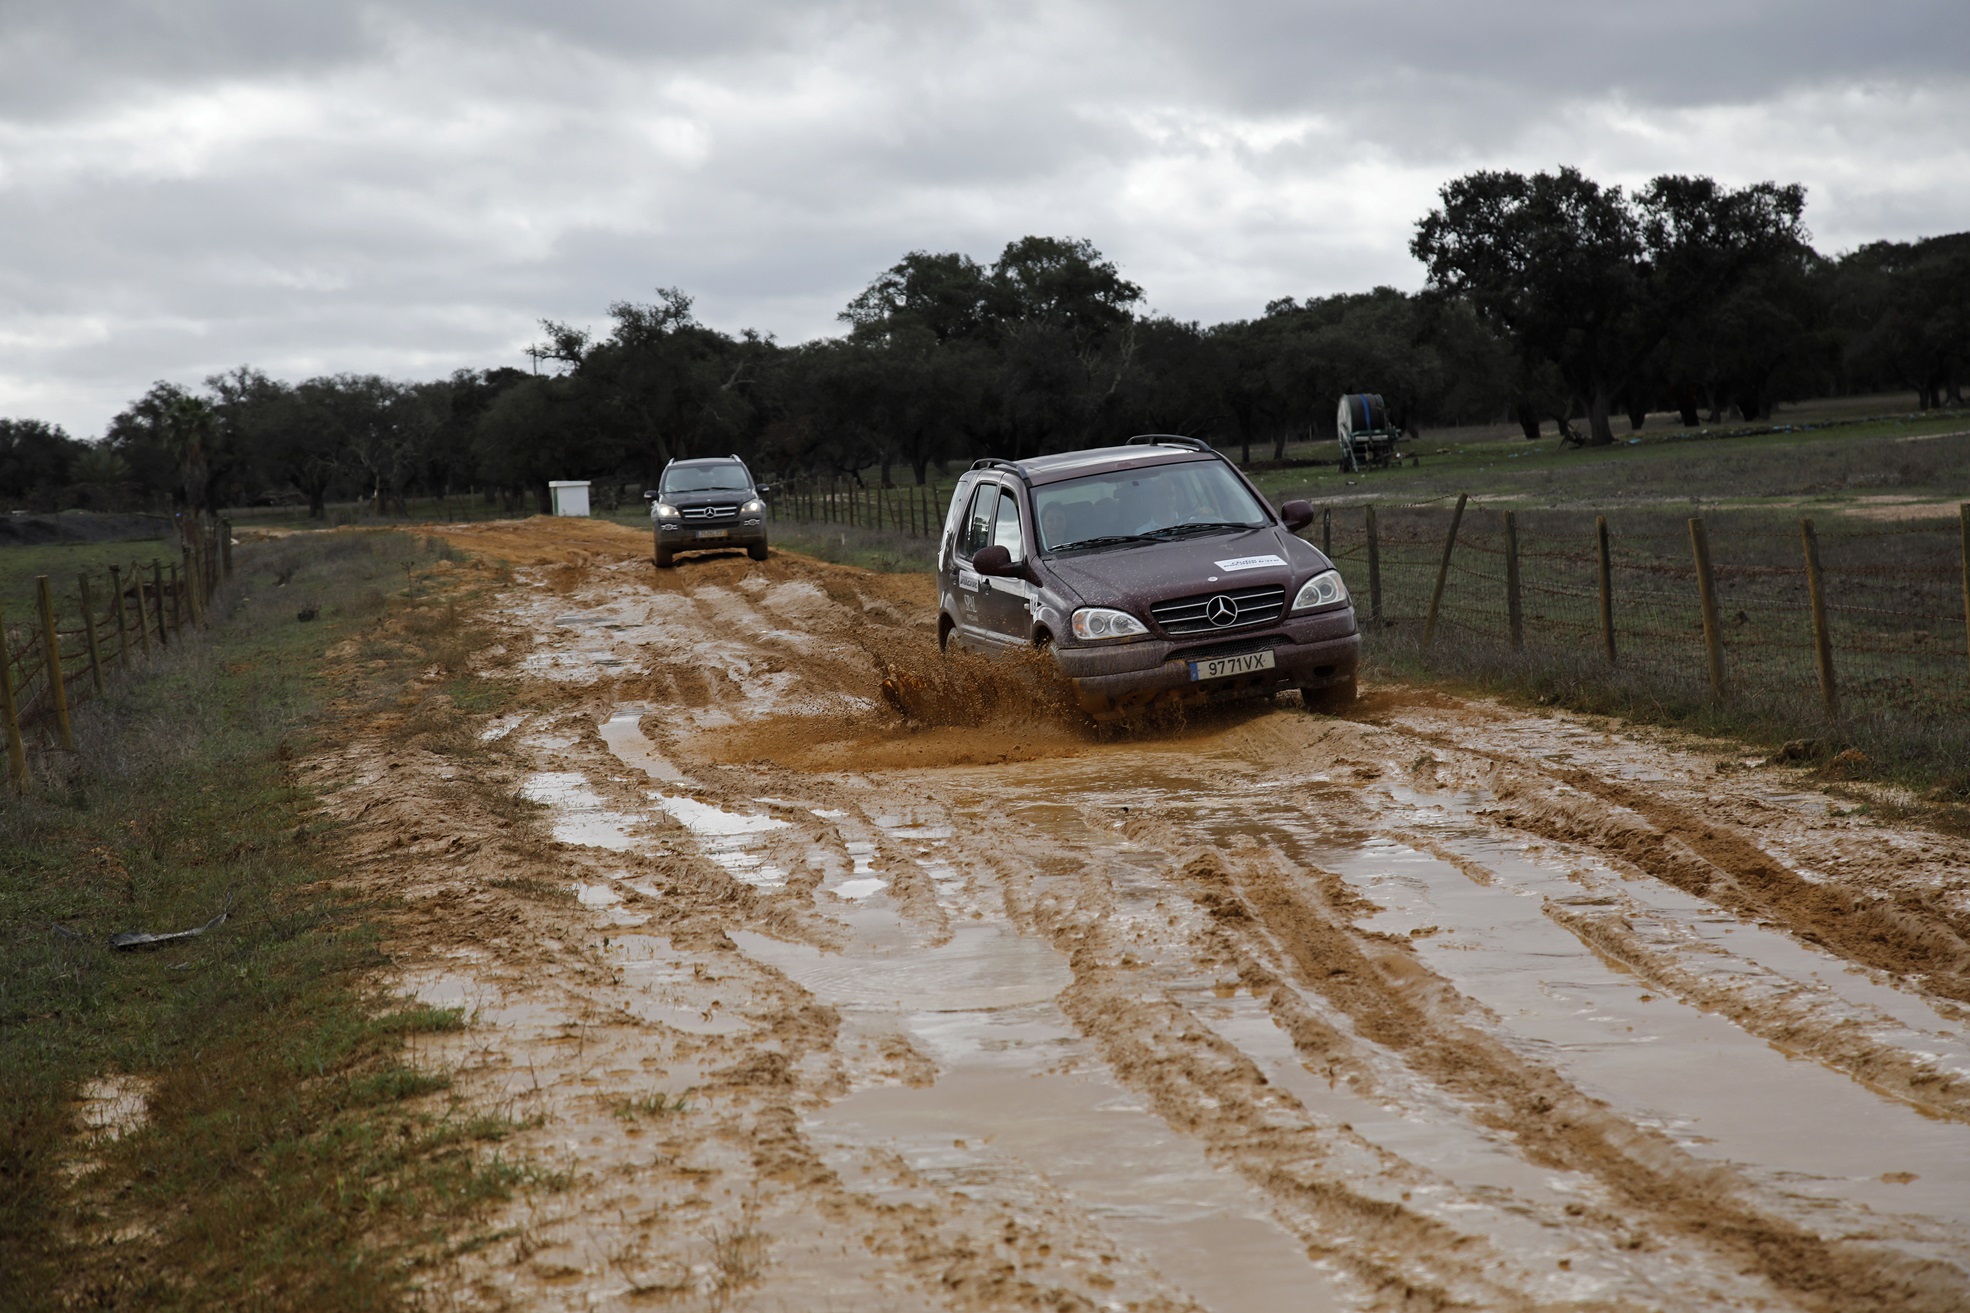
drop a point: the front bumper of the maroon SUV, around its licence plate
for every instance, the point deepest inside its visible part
(1309, 652)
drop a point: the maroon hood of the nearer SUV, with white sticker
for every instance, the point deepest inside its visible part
(1140, 577)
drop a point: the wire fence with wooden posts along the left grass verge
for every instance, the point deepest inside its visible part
(74, 646)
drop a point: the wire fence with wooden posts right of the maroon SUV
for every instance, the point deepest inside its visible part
(1735, 608)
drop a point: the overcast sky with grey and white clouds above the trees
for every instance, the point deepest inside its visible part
(322, 186)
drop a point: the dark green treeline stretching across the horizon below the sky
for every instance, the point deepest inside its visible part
(1551, 301)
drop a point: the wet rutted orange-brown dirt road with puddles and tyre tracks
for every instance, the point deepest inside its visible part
(819, 997)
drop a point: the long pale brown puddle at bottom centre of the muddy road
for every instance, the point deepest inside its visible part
(1021, 1109)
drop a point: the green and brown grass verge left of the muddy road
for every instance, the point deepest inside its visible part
(293, 1156)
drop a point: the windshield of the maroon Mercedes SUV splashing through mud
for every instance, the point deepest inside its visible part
(1157, 504)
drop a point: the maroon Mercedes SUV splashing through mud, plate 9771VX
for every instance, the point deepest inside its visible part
(1151, 573)
